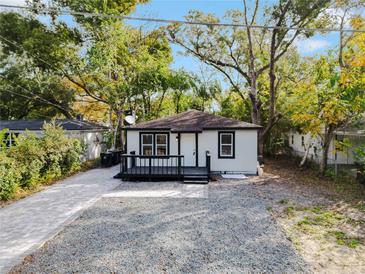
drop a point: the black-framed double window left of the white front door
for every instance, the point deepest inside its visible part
(154, 143)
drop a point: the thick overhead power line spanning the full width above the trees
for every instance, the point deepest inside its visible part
(173, 21)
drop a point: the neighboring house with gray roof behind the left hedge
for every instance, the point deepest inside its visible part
(90, 133)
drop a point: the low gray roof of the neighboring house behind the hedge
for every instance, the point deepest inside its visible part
(67, 124)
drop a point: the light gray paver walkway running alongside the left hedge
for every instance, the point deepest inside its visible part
(28, 223)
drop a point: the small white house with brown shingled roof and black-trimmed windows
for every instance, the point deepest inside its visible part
(190, 137)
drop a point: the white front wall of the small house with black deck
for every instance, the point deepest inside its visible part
(245, 160)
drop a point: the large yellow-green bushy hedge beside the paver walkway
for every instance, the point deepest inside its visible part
(37, 160)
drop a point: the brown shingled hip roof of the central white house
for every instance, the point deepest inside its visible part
(193, 121)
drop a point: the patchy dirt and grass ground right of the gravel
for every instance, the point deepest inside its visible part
(326, 223)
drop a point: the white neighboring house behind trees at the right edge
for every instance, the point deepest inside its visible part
(336, 155)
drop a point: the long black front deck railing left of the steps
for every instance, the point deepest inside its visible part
(151, 166)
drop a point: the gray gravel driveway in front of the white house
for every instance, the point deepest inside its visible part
(226, 230)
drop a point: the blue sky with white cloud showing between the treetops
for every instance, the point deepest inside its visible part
(177, 9)
